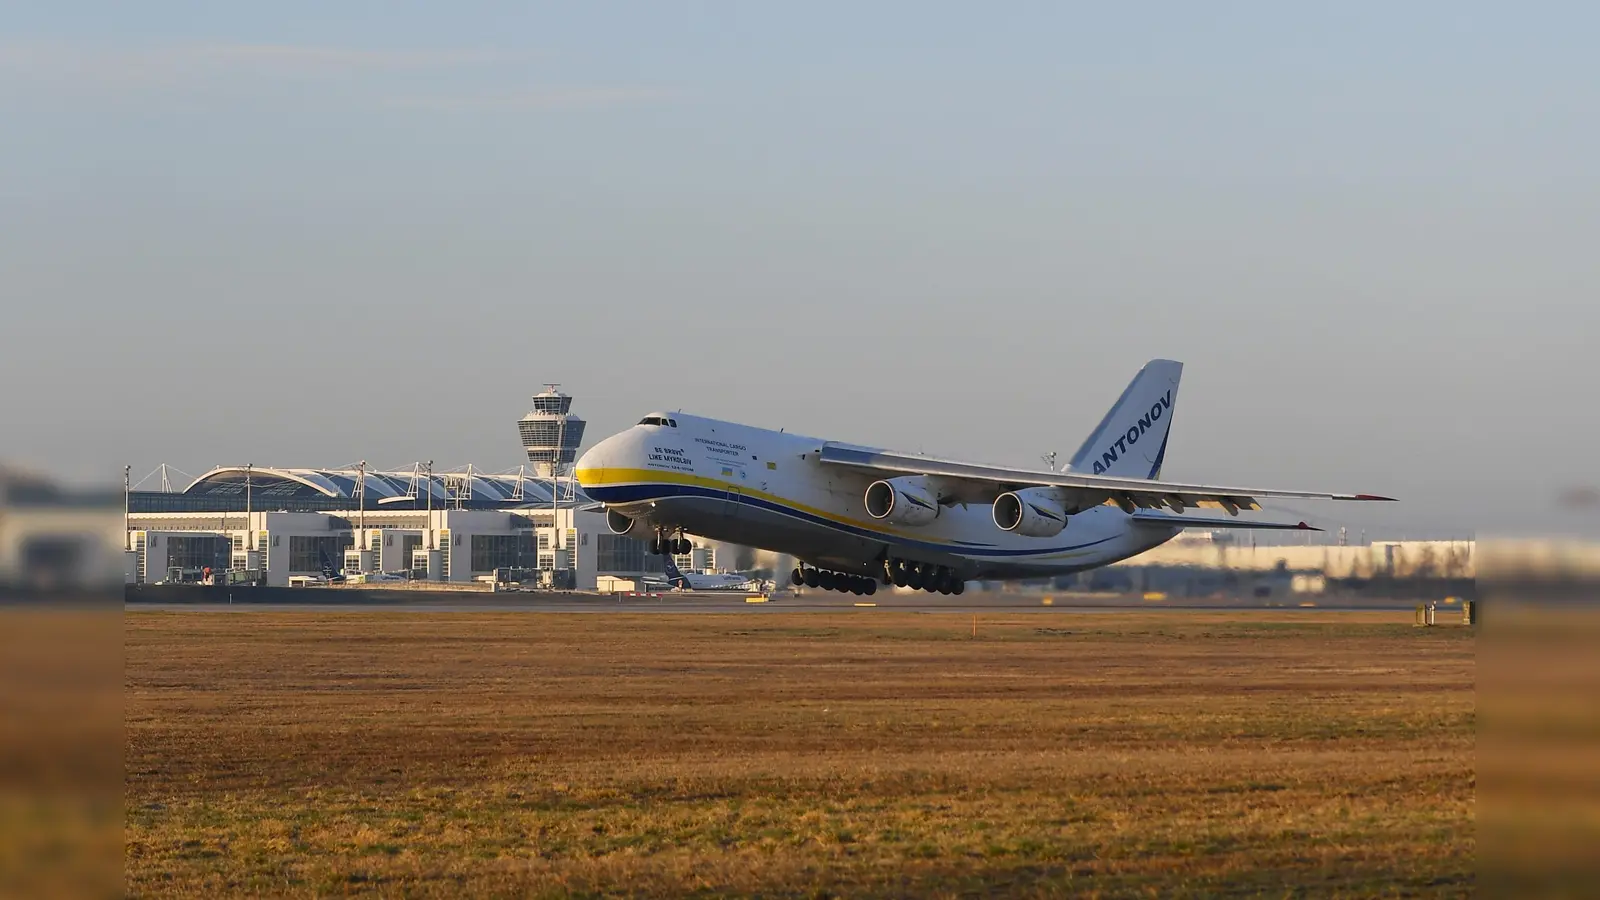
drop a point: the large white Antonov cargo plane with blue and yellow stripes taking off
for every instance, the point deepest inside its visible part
(862, 516)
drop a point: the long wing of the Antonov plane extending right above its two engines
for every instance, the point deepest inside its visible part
(975, 483)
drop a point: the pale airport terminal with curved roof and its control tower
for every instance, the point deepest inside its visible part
(276, 526)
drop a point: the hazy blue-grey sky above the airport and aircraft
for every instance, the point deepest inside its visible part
(311, 233)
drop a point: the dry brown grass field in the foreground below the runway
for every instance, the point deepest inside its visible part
(806, 755)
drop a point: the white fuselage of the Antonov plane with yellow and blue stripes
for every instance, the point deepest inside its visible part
(770, 489)
